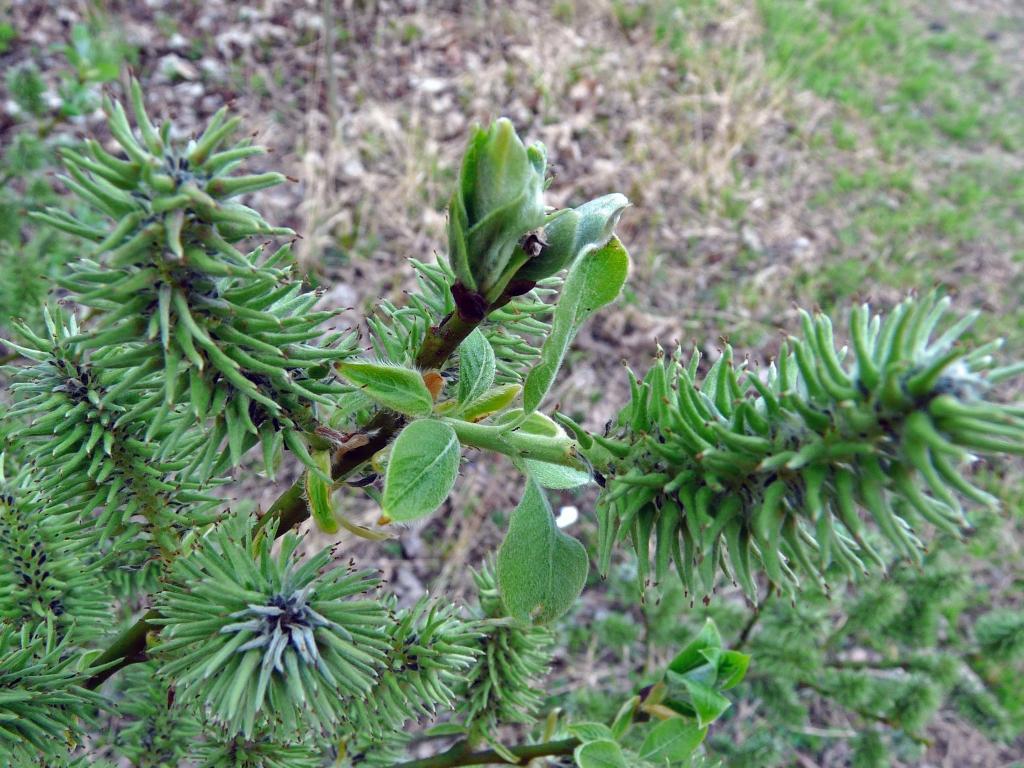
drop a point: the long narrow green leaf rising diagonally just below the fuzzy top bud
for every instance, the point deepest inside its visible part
(592, 283)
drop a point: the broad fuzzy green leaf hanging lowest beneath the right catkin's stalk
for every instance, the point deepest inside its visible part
(541, 571)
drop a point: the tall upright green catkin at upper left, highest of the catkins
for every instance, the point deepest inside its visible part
(175, 263)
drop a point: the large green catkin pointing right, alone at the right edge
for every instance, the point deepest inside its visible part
(883, 433)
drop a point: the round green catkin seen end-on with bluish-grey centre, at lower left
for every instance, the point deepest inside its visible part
(283, 631)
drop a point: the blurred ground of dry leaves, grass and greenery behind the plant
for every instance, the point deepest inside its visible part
(778, 153)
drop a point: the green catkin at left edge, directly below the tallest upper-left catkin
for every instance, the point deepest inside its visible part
(93, 470)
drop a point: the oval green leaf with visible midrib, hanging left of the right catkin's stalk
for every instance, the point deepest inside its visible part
(422, 470)
